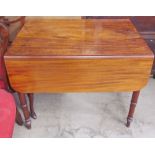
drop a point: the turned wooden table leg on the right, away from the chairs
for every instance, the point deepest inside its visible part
(134, 100)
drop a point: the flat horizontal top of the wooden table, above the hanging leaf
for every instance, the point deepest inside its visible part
(76, 37)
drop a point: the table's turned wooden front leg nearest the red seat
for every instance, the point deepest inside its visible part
(23, 102)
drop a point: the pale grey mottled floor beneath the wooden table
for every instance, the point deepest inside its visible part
(91, 115)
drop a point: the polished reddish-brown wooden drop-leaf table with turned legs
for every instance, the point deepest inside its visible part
(78, 56)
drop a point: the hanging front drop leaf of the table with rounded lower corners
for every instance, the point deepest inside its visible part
(79, 75)
